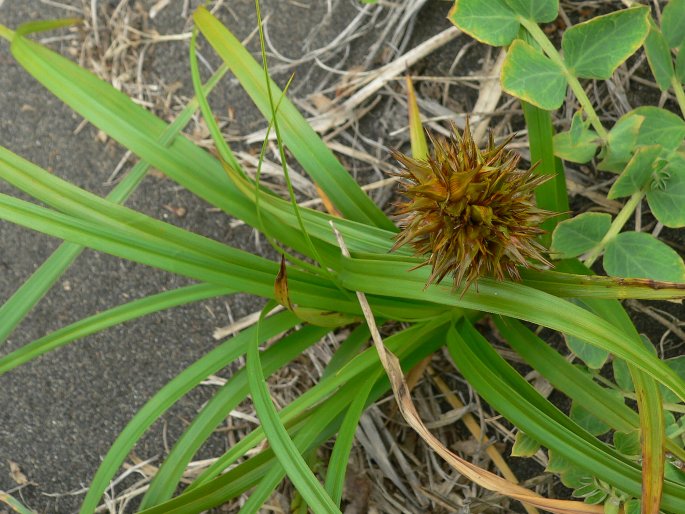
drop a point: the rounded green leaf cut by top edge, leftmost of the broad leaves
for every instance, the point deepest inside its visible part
(489, 21)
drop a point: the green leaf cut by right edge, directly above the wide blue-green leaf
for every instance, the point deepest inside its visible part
(667, 197)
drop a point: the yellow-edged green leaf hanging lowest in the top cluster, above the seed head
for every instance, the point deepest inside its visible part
(529, 75)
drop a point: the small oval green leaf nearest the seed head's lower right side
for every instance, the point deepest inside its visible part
(579, 234)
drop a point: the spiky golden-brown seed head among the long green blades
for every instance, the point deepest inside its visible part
(470, 212)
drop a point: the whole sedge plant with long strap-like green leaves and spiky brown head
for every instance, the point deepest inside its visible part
(465, 201)
